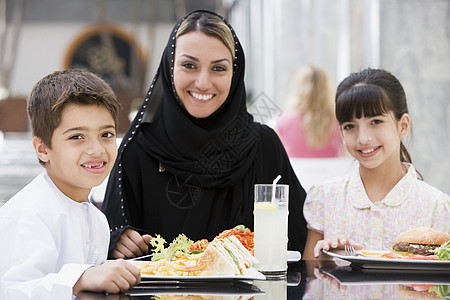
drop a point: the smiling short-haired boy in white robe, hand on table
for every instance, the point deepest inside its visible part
(54, 241)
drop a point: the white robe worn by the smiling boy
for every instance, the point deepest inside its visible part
(47, 241)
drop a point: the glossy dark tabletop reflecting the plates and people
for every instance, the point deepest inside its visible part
(306, 280)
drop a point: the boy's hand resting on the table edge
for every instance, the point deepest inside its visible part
(111, 277)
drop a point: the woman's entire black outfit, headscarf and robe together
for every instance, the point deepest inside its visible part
(179, 174)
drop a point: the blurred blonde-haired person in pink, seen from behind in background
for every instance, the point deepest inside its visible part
(310, 129)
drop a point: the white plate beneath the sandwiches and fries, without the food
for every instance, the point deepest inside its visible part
(252, 274)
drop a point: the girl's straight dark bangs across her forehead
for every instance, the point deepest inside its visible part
(360, 101)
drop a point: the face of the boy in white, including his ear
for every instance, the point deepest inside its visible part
(83, 150)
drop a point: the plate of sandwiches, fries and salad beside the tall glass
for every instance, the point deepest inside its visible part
(227, 257)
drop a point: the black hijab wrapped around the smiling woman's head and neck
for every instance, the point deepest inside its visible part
(209, 152)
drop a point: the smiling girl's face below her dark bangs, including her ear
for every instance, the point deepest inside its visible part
(375, 141)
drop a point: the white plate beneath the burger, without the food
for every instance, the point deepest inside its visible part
(368, 262)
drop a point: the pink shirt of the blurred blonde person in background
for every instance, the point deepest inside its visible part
(293, 136)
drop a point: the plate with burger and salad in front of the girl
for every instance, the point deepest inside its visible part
(417, 249)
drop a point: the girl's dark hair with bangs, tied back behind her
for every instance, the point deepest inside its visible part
(369, 93)
